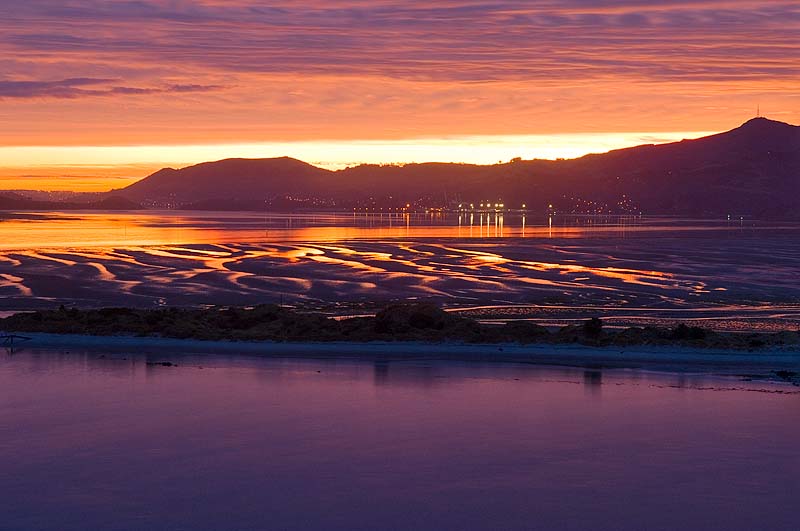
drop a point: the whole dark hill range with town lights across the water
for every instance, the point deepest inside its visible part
(752, 170)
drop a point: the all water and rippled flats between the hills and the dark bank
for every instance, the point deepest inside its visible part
(737, 275)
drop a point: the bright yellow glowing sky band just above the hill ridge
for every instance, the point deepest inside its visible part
(99, 168)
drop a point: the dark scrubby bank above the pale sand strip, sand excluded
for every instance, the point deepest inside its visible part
(398, 322)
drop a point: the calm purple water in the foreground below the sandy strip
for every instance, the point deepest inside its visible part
(101, 440)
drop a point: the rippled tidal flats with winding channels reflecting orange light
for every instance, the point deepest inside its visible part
(665, 272)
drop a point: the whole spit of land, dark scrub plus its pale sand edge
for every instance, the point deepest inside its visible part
(403, 333)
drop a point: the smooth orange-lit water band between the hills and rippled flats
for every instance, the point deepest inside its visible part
(54, 229)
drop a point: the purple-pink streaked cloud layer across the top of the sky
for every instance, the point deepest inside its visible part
(453, 40)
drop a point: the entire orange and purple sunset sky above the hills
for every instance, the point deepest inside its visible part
(96, 93)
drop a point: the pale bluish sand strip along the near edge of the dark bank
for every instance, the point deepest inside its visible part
(664, 358)
